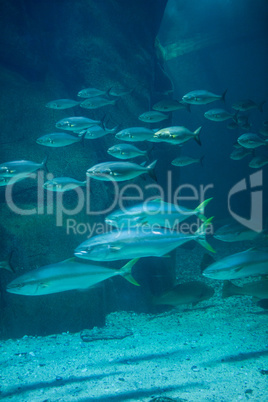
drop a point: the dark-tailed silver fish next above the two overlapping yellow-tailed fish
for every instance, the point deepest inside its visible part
(118, 171)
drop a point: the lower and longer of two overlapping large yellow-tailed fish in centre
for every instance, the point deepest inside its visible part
(138, 242)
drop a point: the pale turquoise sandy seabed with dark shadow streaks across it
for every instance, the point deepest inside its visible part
(215, 351)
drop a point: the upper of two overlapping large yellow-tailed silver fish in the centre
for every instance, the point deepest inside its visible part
(155, 212)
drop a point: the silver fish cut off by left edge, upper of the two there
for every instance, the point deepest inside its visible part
(13, 168)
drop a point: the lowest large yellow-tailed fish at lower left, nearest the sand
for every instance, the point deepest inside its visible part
(66, 275)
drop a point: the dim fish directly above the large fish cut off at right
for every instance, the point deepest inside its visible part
(234, 232)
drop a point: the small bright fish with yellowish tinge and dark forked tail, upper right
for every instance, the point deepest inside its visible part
(178, 135)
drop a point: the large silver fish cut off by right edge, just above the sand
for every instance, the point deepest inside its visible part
(252, 262)
